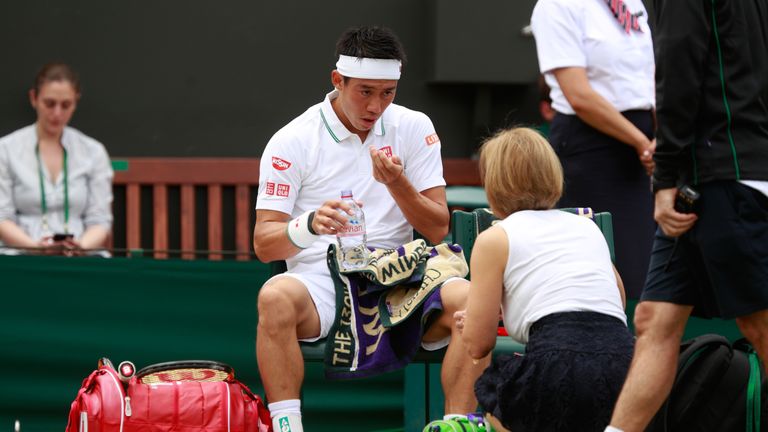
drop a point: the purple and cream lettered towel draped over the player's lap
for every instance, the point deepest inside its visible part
(383, 309)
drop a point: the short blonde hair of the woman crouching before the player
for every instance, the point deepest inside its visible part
(520, 171)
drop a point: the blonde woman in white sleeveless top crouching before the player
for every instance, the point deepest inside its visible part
(550, 272)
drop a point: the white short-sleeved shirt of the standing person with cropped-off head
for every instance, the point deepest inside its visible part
(586, 33)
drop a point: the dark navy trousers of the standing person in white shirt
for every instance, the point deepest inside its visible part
(606, 175)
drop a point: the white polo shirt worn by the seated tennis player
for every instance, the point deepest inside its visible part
(314, 157)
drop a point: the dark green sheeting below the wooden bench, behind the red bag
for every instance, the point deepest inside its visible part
(59, 315)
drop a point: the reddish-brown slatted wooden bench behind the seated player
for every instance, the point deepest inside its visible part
(202, 207)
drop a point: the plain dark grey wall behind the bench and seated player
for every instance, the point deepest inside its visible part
(193, 78)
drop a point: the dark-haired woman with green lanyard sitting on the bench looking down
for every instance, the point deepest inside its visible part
(55, 182)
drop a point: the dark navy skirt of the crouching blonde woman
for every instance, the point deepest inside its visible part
(568, 380)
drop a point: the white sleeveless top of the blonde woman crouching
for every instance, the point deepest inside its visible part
(558, 262)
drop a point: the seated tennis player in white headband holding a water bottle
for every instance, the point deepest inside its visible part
(389, 156)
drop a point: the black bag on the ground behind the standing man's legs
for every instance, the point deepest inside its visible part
(718, 387)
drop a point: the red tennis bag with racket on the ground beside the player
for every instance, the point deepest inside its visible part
(188, 396)
